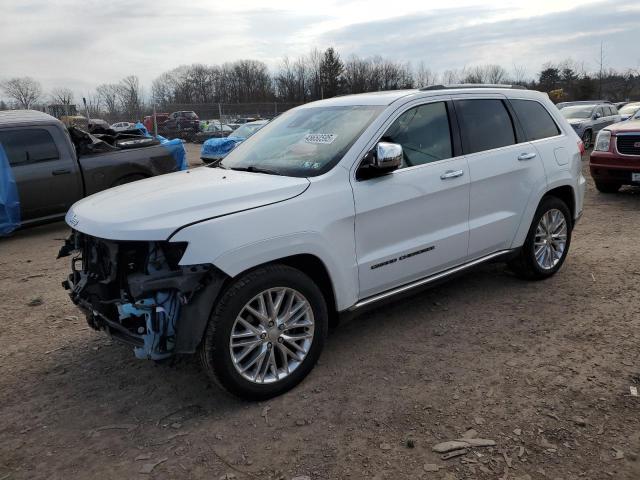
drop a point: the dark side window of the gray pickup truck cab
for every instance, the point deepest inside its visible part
(28, 145)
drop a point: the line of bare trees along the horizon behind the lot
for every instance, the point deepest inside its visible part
(316, 75)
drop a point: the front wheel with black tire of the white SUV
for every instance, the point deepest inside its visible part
(266, 332)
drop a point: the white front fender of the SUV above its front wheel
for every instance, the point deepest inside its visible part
(320, 223)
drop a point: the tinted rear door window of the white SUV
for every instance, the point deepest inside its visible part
(486, 124)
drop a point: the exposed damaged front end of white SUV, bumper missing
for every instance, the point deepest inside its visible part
(138, 292)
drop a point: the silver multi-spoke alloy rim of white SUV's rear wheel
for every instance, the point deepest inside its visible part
(551, 239)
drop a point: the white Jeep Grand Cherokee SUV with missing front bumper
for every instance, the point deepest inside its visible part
(333, 206)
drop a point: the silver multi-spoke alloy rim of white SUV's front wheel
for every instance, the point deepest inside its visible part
(272, 335)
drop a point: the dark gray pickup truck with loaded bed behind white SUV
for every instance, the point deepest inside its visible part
(54, 167)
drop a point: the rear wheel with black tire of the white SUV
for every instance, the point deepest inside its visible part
(547, 242)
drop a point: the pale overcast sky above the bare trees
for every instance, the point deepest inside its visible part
(82, 43)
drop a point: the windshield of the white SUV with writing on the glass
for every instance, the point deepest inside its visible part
(305, 142)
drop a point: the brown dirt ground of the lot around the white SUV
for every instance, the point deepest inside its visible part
(543, 369)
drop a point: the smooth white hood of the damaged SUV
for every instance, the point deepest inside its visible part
(154, 208)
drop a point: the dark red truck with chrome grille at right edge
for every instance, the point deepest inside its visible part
(615, 160)
